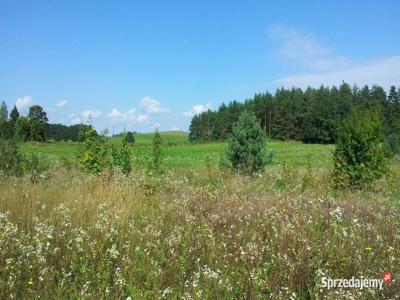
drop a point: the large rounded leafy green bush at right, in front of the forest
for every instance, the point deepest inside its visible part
(359, 158)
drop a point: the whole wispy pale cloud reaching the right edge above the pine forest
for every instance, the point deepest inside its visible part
(322, 65)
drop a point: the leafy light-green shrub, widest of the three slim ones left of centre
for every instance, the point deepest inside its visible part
(93, 158)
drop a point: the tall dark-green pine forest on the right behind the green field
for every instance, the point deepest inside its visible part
(311, 116)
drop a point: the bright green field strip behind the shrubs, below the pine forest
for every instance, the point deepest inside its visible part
(179, 153)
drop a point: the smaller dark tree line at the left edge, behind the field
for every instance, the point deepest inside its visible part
(35, 126)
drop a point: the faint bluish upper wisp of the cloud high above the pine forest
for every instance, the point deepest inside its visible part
(304, 49)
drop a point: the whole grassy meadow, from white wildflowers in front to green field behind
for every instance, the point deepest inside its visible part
(196, 231)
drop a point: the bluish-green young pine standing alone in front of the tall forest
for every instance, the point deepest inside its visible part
(246, 149)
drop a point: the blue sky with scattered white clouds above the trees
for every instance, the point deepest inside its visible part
(144, 64)
